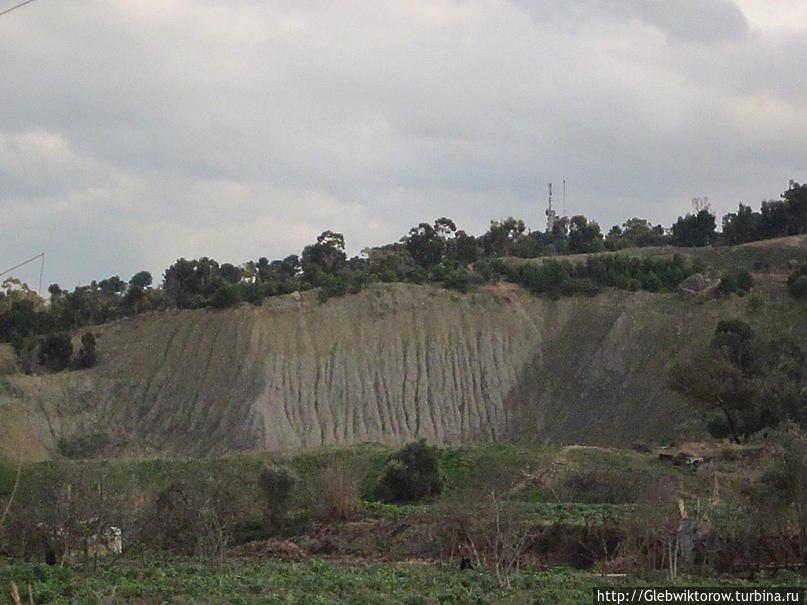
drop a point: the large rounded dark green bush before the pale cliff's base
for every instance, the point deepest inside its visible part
(411, 474)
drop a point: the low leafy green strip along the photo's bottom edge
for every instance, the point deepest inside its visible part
(247, 581)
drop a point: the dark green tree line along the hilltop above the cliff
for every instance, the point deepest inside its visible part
(435, 252)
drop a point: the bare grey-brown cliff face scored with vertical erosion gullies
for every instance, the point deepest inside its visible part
(393, 363)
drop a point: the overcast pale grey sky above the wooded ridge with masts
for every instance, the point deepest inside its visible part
(135, 132)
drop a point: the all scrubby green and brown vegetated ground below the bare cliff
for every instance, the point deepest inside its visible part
(549, 509)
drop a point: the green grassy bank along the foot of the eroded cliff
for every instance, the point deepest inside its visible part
(473, 469)
